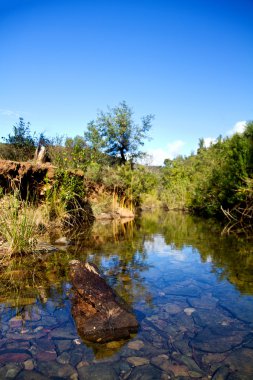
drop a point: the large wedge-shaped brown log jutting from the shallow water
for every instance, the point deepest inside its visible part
(100, 315)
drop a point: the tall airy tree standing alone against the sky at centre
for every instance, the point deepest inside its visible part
(116, 134)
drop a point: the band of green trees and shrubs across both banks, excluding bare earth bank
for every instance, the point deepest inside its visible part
(212, 182)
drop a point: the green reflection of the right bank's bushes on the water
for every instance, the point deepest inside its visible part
(231, 257)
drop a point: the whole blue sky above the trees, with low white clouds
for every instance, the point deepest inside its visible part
(188, 62)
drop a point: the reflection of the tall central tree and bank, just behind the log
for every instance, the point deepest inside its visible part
(117, 249)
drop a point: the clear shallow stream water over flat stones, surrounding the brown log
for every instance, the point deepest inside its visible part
(190, 288)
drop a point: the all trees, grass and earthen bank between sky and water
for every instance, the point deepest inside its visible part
(99, 175)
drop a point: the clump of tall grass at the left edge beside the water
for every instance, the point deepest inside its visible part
(17, 225)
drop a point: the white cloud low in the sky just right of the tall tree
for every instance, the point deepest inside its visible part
(159, 155)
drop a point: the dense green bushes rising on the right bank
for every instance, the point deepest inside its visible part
(210, 180)
